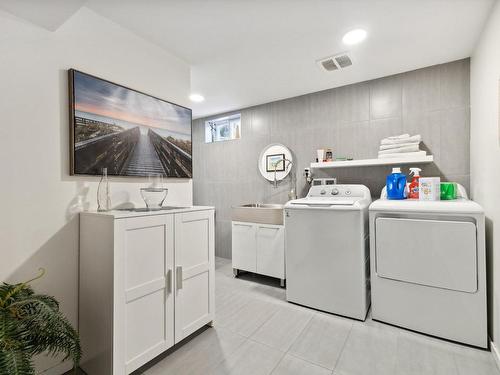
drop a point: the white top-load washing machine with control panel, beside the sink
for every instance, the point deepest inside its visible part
(326, 249)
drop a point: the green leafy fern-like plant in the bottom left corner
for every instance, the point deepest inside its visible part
(32, 324)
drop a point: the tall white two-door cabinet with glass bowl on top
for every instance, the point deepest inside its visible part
(146, 283)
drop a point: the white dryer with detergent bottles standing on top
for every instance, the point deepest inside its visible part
(428, 267)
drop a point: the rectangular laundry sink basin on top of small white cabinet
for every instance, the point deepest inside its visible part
(264, 213)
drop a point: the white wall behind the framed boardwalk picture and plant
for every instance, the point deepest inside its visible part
(38, 225)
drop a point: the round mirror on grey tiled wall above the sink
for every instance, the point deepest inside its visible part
(275, 162)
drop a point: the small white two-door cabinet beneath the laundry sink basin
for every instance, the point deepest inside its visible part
(259, 248)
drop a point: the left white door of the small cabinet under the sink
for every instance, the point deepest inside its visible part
(244, 246)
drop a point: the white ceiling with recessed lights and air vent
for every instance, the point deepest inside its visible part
(248, 52)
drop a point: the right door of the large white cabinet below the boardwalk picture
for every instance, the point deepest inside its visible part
(194, 271)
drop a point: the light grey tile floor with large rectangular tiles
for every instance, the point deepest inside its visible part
(257, 332)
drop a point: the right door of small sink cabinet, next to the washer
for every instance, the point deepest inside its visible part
(271, 250)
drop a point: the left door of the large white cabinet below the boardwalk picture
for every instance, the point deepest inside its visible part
(144, 309)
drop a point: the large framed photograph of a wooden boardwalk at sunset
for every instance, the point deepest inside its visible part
(126, 131)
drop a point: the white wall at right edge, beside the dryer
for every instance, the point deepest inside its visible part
(485, 150)
